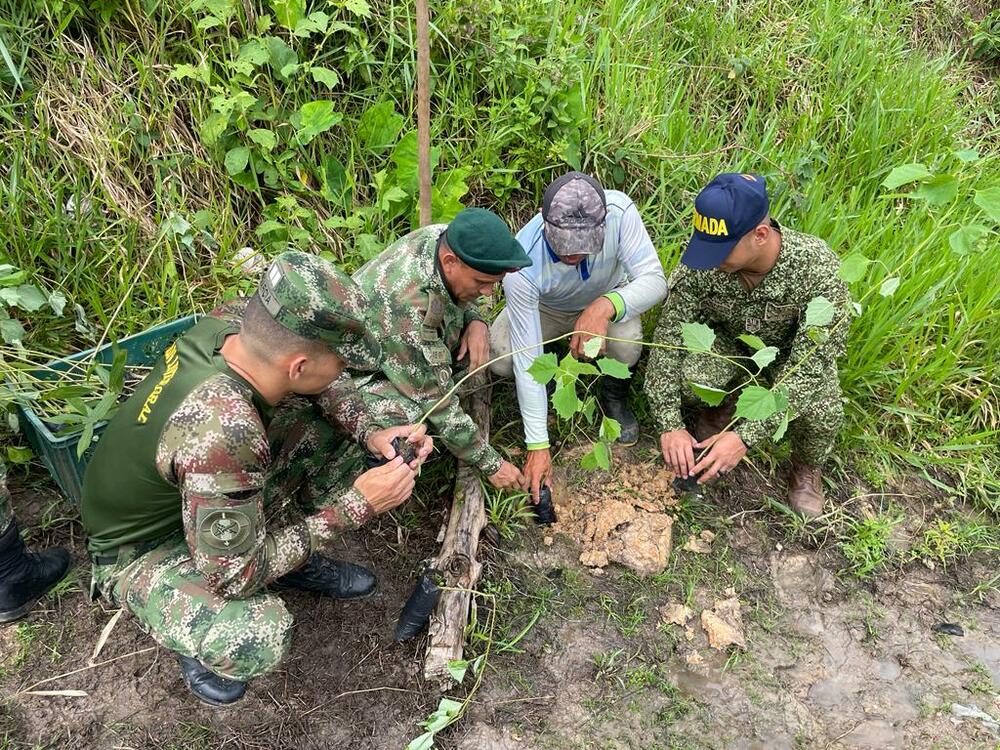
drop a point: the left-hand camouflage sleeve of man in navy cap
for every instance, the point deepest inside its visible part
(663, 381)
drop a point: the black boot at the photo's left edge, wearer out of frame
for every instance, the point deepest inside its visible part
(26, 576)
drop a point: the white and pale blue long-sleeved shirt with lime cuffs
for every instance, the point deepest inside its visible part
(627, 265)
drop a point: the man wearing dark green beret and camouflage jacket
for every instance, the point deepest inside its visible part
(423, 290)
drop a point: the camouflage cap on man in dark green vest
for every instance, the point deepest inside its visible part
(313, 298)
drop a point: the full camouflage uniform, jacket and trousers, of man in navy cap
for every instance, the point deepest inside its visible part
(773, 310)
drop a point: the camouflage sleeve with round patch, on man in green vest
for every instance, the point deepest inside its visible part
(214, 448)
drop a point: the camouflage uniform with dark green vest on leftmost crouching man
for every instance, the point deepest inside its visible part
(239, 496)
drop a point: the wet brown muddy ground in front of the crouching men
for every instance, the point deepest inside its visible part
(579, 658)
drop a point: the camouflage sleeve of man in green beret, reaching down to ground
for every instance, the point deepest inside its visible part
(418, 364)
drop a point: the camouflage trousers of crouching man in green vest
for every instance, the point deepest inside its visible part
(236, 638)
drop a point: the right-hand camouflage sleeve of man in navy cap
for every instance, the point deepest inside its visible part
(810, 361)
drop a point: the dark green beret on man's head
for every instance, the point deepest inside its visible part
(483, 240)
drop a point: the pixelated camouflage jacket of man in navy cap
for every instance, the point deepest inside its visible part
(773, 310)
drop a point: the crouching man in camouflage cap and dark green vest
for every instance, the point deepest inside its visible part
(230, 467)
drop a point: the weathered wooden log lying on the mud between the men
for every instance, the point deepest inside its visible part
(457, 559)
